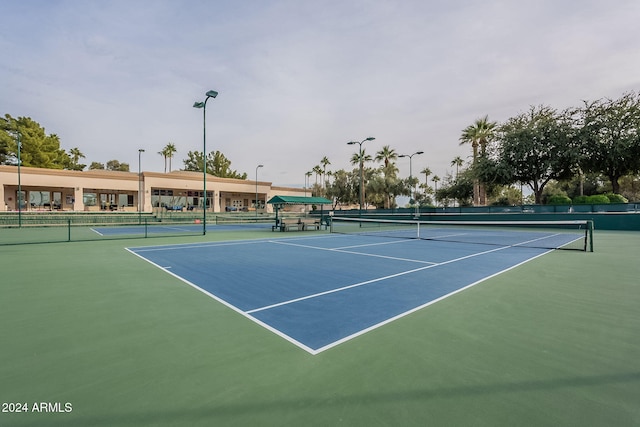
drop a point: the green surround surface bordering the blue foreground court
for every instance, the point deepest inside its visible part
(553, 342)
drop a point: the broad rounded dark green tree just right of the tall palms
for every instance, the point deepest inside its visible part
(533, 148)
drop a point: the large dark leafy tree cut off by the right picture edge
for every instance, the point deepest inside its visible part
(610, 136)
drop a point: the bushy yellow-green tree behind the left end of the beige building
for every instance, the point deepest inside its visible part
(37, 149)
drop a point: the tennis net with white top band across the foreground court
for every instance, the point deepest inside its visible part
(573, 235)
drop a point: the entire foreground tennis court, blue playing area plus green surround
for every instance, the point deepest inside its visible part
(552, 339)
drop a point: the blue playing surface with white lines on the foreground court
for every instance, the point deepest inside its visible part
(319, 291)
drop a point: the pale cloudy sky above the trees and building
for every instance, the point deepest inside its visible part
(298, 79)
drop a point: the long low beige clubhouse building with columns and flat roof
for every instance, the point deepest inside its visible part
(103, 190)
